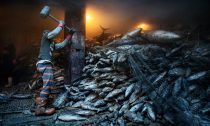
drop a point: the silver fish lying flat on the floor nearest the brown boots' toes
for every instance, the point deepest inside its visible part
(70, 117)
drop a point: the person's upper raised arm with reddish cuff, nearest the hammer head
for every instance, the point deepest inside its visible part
(56, 31)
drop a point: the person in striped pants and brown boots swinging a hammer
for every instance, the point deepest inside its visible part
(45, 66)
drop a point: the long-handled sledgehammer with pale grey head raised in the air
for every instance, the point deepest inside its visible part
(45, 12)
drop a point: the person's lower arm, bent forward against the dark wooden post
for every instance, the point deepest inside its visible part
(65, 42)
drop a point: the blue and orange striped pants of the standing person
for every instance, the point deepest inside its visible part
(47, 77)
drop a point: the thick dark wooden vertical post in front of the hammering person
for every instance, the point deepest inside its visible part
(75, 17)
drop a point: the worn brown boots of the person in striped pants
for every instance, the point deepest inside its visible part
(41, 107)
